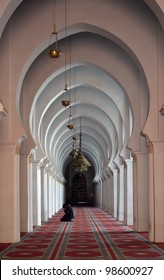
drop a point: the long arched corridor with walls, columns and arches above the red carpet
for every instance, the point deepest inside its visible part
(111, 74)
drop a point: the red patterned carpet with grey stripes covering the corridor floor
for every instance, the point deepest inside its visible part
(92, 235)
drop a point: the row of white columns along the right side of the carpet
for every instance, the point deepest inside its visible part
(115, 195)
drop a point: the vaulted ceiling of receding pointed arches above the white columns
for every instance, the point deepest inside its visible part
(102, 43)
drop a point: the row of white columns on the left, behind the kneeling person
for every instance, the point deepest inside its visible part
(42, 192)
